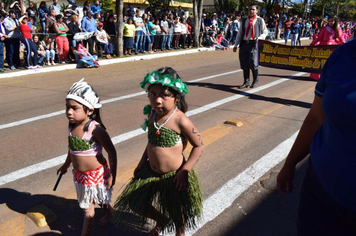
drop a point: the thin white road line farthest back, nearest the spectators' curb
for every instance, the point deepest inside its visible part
(21, 122)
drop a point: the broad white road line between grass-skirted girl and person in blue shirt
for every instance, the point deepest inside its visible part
(224, 197)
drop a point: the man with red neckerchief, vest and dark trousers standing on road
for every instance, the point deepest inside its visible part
(252, 28)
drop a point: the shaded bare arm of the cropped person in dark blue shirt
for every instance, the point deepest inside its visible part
(301, 146)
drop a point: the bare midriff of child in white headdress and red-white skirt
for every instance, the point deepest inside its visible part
(86, 163)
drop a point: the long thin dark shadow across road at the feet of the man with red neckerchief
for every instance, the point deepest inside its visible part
(232, 89)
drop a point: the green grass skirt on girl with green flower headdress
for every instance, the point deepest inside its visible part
(179, 209)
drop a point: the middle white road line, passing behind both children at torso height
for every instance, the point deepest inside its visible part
(24, 172)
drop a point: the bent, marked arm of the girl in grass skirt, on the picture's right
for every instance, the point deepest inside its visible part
(190, 132)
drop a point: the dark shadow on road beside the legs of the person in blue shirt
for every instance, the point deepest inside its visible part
(276, 215)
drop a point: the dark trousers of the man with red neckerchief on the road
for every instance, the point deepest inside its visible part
(248, 56)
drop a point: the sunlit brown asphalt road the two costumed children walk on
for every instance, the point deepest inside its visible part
(237, 170)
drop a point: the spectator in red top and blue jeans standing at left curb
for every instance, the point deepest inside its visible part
(30, 47)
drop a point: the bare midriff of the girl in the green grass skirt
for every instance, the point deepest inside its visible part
(165, 159)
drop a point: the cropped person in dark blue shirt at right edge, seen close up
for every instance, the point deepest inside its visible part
(327, 204)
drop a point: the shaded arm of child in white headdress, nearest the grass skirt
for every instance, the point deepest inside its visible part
(102, 137)
